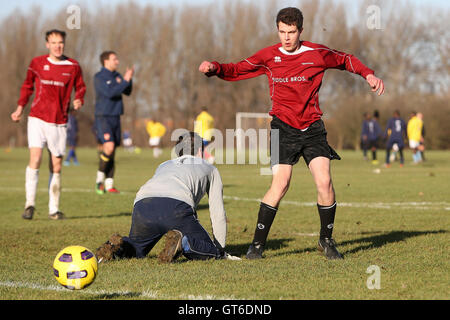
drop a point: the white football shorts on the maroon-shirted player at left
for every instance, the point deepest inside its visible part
(41, 134)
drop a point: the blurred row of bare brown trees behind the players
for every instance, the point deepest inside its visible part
(166, 44)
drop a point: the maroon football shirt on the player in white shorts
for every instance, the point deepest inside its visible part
(54, 84)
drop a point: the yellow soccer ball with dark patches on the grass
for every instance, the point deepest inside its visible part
(75, 267)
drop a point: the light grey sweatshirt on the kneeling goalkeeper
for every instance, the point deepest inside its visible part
(187, 179)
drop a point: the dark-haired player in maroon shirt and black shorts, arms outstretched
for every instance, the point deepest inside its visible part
(295, 70)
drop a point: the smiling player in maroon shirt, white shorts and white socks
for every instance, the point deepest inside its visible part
(55, 76)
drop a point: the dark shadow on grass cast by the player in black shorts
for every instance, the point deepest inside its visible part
(372, 242)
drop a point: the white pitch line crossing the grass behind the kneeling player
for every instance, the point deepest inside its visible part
(425, 205)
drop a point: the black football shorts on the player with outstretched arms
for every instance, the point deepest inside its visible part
(288, 144)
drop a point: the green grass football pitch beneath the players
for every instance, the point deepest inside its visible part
(396, 219)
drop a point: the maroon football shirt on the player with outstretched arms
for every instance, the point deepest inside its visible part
(294, 78)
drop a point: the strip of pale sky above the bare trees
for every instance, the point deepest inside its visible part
(8, 6)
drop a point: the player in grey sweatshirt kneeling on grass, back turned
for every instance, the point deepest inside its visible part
(166, 205)
